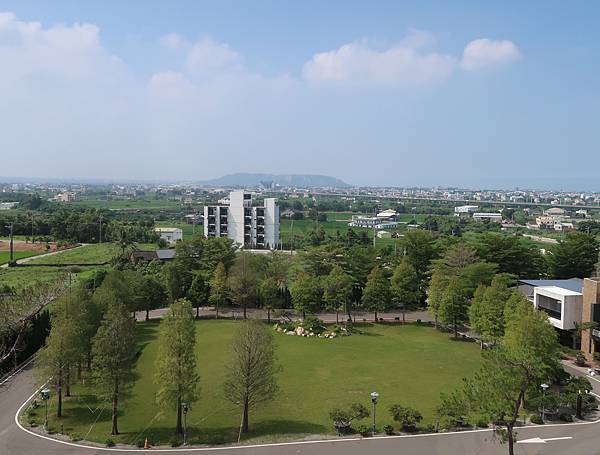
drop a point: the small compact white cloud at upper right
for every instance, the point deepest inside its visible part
(483, 53)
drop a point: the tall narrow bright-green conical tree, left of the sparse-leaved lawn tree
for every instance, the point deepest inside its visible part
(176, 370)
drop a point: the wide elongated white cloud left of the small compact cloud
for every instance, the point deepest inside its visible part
(401, 64)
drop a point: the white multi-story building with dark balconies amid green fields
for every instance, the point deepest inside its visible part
(247, 225)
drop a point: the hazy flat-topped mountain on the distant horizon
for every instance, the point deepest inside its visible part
(296, 180)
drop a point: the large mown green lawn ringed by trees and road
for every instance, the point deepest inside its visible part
(409, 365)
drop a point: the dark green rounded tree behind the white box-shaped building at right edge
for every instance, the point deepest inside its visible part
(575, 256)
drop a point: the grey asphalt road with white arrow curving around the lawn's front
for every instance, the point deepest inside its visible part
(574, 439)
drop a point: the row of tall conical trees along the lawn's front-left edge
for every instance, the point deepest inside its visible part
(93, 335)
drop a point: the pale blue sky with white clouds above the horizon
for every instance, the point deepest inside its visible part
(471, 94)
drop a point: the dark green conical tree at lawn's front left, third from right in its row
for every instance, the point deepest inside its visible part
(113, 354)
